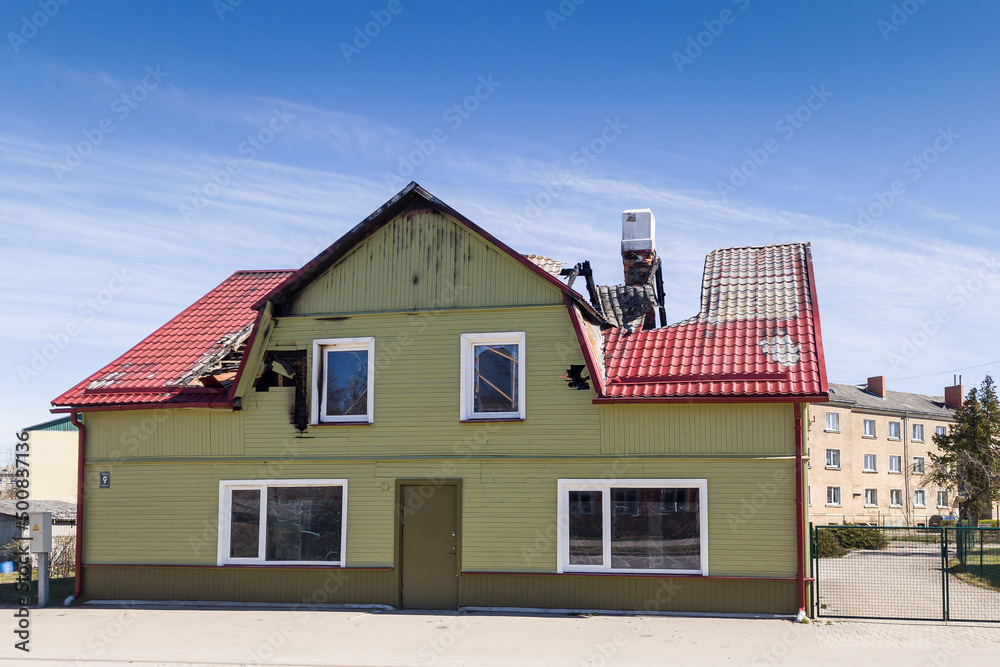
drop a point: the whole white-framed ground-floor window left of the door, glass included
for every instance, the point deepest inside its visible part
(282, 522)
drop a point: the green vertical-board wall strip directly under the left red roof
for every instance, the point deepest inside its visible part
(121, 435)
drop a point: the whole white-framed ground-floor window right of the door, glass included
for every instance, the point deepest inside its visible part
(633, 525)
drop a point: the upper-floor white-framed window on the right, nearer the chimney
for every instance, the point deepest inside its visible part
(492, 384)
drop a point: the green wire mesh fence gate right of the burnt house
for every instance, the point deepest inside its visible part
(907, 573)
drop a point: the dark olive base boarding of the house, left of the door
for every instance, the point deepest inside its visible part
(302, 586)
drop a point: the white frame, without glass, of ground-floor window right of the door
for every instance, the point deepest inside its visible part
(605, 486)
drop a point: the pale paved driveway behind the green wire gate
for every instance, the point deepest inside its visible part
(903, 581)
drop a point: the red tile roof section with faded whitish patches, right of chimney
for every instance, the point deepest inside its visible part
(757, 335)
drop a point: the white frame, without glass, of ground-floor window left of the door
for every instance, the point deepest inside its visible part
(226, 486)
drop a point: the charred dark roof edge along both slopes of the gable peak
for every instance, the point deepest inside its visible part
(384, 214)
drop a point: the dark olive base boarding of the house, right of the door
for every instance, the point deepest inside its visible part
(679, 594)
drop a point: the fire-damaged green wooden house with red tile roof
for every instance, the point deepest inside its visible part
(422, 417)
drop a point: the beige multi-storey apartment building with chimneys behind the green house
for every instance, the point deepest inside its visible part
(870, 452)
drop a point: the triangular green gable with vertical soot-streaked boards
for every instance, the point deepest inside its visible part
(422, 259)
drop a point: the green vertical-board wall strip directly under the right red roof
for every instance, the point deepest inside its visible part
(729, 428)
